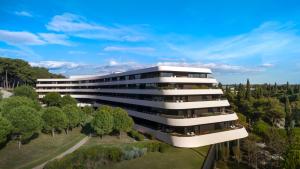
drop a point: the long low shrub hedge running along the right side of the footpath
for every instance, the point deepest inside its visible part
(97, 156)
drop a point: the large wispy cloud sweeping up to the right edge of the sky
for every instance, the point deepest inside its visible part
(271, 39)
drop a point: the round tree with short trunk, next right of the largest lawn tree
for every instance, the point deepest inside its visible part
(54, 119)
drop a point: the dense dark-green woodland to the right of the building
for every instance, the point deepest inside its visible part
(271, 114)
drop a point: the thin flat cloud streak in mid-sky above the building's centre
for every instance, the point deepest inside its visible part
(128, 49)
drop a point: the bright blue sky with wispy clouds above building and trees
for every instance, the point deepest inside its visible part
(253, 39)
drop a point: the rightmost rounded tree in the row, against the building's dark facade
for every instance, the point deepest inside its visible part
(121, 121)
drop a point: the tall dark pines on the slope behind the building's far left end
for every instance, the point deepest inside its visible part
(16, 72)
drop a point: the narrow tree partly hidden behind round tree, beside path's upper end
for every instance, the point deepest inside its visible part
(73, 114)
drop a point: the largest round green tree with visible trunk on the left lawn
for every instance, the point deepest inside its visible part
(25, 121)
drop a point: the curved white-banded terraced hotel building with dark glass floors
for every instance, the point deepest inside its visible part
(178, 105)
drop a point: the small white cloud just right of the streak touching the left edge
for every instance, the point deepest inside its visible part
(53, 38)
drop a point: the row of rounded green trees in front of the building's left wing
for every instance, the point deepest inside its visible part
(22, 117)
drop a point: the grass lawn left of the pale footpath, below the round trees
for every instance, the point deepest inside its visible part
(38, 150)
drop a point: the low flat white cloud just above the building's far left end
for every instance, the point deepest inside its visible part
(56, 64)
